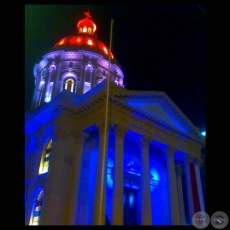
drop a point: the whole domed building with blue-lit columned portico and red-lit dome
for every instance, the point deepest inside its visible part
(93, 158)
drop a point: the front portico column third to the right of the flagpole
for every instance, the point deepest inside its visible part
(173, 195)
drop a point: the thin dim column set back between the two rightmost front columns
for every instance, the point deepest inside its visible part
(179, 171)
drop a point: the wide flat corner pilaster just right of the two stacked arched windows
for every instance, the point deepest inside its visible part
(55, 194)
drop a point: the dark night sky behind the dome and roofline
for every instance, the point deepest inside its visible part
(160, 47)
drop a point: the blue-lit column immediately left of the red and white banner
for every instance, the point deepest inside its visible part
(186, 160)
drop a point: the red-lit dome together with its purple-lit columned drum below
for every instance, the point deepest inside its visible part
(76, 63)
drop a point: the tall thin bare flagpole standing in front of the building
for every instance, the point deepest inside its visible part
(105, 144)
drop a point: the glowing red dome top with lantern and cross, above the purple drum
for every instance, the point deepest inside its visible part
(85, 40)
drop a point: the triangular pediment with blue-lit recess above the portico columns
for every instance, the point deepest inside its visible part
(157, 105)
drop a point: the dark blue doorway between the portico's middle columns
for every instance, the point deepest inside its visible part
(130, 206)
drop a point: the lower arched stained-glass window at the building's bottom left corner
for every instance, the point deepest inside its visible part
(37, 208)
